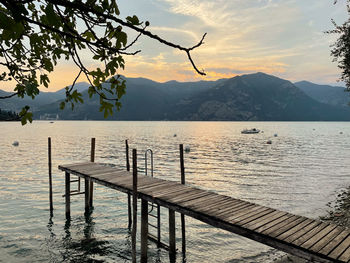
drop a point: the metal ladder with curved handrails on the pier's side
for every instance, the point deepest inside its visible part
(153, 207)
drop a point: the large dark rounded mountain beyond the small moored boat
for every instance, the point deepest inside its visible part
(256, 97)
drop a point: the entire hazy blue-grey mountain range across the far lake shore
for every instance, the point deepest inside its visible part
(256, 96)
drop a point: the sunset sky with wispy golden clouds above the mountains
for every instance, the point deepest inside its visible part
(284, 38)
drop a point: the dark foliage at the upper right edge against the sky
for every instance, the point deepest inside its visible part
(341, 48)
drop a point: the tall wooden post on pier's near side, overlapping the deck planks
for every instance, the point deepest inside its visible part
(134, 204)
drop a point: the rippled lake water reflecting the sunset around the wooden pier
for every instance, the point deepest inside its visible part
(303, 169)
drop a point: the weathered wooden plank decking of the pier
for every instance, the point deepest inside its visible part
(297, 235)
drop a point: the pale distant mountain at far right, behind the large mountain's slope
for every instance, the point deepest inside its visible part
(335, 96)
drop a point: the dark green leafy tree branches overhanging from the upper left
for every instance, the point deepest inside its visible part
(36, 35)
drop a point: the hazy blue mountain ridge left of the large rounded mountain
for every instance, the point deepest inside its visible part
(144, 100)
